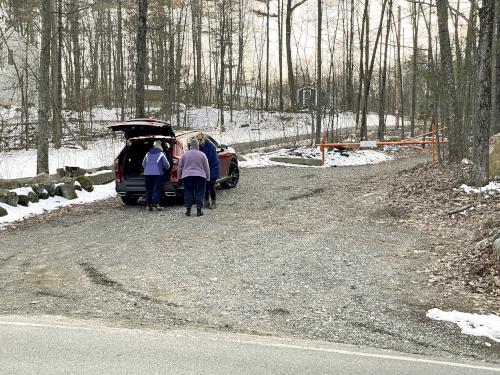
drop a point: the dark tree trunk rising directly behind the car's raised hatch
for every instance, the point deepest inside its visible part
(141, 58)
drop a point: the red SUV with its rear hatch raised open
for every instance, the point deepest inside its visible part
(140, 135)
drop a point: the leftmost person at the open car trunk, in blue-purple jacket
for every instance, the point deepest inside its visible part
(155, 165)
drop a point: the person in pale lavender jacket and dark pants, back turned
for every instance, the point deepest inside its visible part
(194, 171)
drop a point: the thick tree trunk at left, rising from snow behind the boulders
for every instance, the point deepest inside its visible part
(42, 156)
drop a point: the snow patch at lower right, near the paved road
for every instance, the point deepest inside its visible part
(470, 324)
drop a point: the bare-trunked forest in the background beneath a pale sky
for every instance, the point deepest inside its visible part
(425, 61)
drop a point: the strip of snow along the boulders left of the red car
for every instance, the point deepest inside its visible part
(44, 205)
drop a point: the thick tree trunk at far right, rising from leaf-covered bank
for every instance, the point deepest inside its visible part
(479, 174)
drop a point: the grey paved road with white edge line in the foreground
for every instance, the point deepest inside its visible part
(61, 346)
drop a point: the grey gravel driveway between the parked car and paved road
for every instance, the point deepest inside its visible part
(298, 252)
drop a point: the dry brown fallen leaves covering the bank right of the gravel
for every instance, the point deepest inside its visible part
(461, 227)
